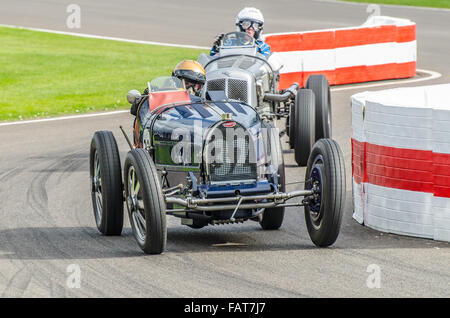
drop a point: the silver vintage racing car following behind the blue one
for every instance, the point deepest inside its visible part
(246, 75)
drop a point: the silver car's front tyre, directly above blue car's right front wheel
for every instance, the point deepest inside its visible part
(304, 126)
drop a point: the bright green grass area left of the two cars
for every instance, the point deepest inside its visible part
(43, 74)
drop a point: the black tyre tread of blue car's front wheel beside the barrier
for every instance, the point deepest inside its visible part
(328, 234)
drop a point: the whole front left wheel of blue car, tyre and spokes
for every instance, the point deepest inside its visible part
(146, 206)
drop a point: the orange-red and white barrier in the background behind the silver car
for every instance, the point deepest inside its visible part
(381, 48)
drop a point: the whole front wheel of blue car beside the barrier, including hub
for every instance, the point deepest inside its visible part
(323, 217)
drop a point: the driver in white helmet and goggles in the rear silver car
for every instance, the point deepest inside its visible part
(251, 21)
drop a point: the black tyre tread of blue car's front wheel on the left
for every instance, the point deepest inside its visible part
(156, 237)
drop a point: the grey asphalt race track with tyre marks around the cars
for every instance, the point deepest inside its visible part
(46, 214)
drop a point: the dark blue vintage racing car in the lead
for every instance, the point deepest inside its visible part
(211, 161)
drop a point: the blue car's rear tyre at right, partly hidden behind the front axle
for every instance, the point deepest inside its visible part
(272, 218)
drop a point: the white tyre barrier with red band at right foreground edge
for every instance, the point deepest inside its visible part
(401, 160)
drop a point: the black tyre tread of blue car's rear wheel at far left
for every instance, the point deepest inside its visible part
(106, 146)
